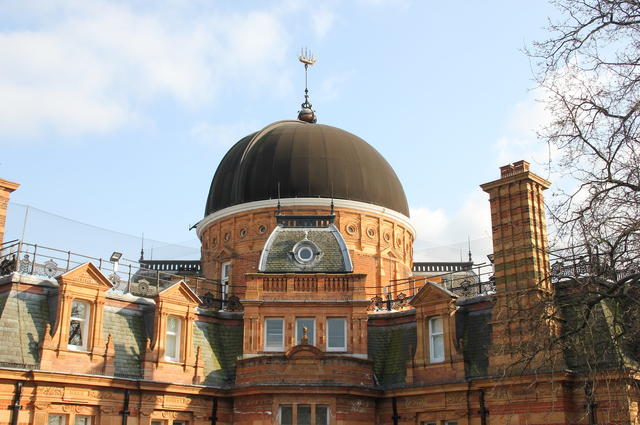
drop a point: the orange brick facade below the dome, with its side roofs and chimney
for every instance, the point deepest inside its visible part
(441, 359)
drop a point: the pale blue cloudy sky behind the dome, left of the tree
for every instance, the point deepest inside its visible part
(117, 113)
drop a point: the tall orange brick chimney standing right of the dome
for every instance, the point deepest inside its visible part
(521, 258)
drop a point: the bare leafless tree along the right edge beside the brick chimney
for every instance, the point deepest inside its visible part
(588, 70)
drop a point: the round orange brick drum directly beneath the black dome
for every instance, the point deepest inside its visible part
(380, 246)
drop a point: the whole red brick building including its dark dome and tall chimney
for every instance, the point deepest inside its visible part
(305, 308)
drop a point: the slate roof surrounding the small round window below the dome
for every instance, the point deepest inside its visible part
(277, 254)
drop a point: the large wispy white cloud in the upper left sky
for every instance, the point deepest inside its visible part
(97, 65)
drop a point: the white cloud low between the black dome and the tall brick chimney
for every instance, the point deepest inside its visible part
(443, 235)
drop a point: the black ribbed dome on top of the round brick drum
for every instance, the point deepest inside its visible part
(308, 160)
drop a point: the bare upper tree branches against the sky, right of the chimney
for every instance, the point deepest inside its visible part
(589, 69)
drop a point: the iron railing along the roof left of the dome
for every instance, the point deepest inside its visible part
(144, 279)
